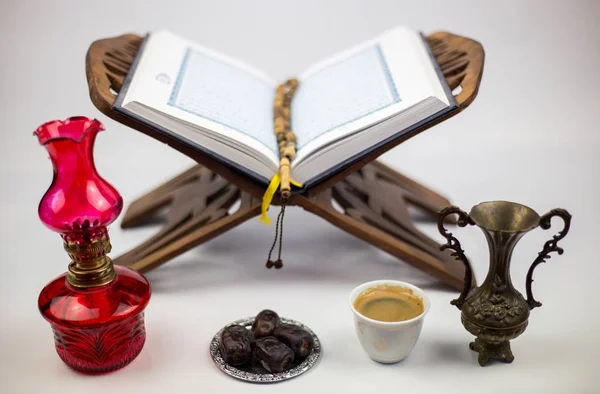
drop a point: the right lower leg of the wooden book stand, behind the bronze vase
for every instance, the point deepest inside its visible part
(375, 207)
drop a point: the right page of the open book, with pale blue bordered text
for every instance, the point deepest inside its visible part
(358, 88)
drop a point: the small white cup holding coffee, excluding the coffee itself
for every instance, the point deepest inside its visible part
(388, 342)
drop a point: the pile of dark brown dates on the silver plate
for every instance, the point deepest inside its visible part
(269, 343)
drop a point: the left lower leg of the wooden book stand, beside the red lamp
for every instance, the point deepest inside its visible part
(199, 202)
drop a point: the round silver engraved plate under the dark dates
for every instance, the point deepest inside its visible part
(257, 374)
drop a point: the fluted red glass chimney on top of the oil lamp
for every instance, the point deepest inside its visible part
(78, 197)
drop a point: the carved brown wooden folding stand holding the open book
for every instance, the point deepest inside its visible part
(374, 198)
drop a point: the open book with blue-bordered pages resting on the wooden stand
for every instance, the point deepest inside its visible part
(344, 108)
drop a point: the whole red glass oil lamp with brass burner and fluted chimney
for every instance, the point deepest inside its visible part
(96, 309)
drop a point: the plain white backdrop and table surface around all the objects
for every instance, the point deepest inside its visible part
(532, 136)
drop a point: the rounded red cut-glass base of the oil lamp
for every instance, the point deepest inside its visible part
(100, 329)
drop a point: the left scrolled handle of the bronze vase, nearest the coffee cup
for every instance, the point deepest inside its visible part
(454, 244)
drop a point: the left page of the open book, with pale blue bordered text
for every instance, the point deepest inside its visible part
(199, 86)
